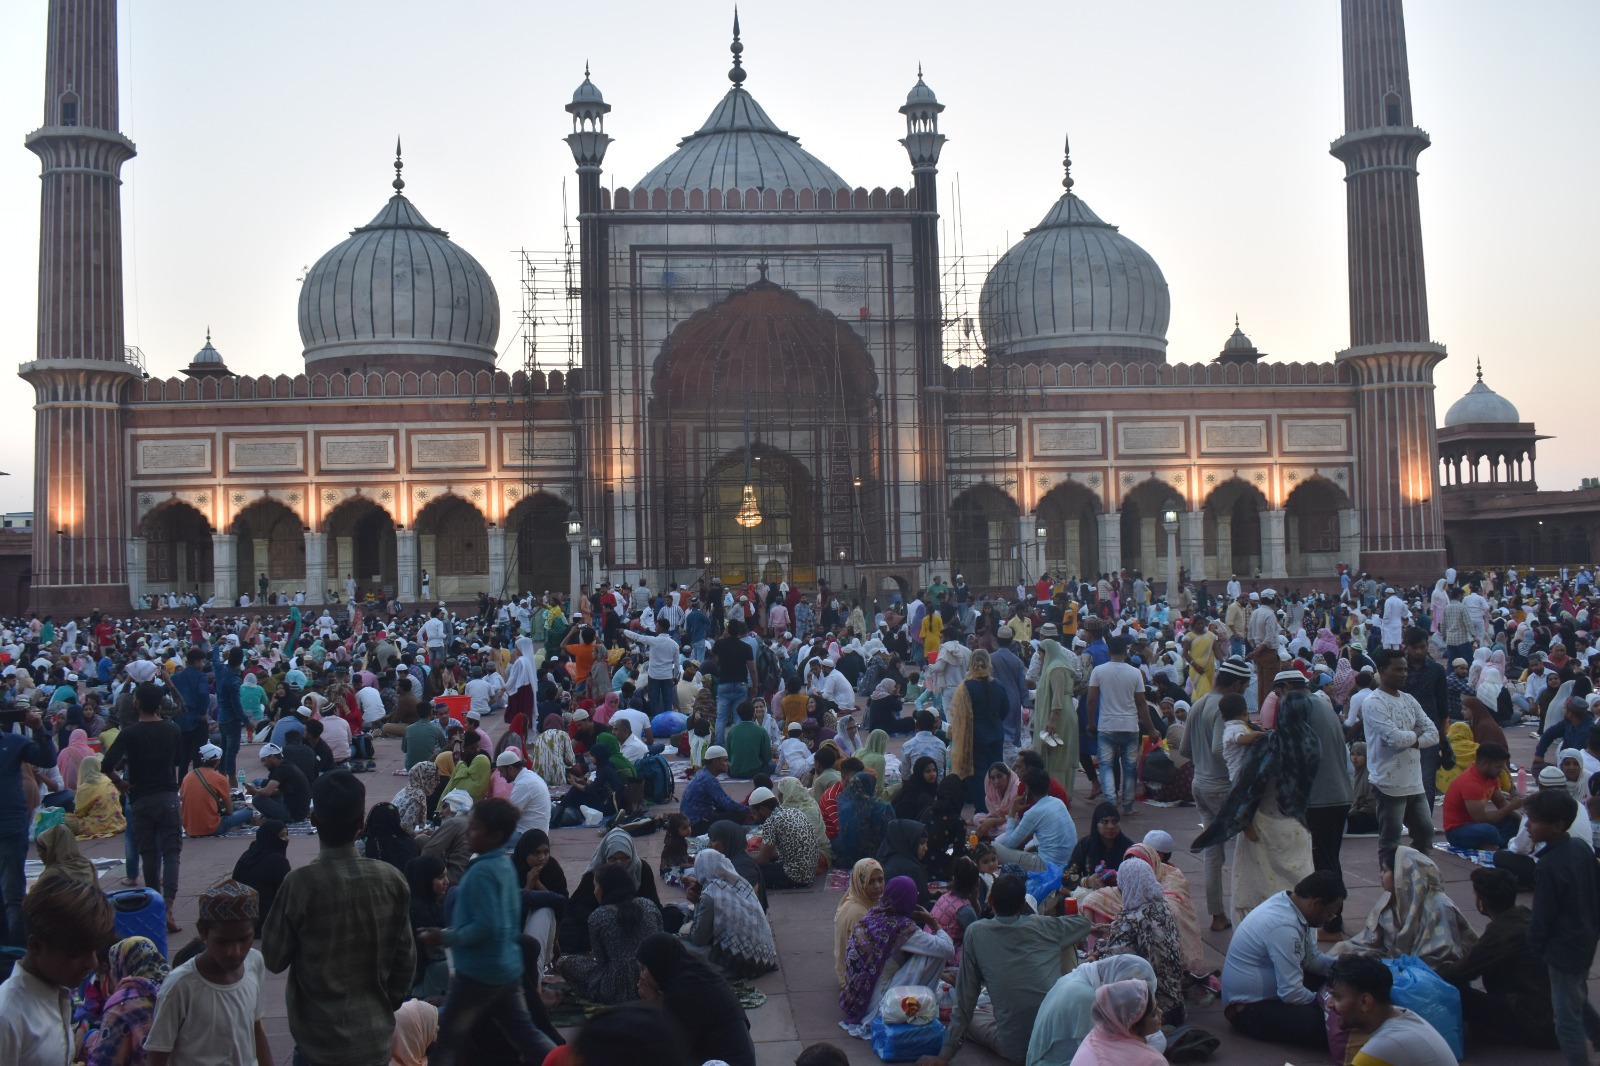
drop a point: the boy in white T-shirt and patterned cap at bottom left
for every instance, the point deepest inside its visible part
(210, 1009)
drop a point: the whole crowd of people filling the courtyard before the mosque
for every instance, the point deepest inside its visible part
(926, 747)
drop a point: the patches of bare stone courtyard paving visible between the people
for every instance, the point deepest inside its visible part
(802, 1003)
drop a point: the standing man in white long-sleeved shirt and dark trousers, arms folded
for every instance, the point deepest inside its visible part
(1398, 732)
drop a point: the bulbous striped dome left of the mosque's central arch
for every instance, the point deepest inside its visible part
(399, 294)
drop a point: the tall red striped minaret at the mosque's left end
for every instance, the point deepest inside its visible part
(82, 367)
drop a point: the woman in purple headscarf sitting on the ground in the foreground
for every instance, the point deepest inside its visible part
(895, 944)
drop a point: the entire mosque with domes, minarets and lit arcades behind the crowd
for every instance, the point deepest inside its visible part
(764, 387)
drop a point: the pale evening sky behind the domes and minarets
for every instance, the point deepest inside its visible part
(266, 134)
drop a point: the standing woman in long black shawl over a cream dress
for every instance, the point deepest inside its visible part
(1266, 809)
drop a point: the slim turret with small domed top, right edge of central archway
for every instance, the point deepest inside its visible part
(924, 145)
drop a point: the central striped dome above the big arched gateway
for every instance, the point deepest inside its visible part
(740, 148)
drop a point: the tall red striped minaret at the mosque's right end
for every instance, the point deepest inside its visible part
(1391, 353)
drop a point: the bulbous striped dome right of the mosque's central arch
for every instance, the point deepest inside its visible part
(1076, 291)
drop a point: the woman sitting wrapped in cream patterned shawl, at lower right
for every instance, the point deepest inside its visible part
(1414, 916)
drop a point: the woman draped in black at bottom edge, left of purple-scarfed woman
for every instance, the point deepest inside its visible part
(700, 1000)
